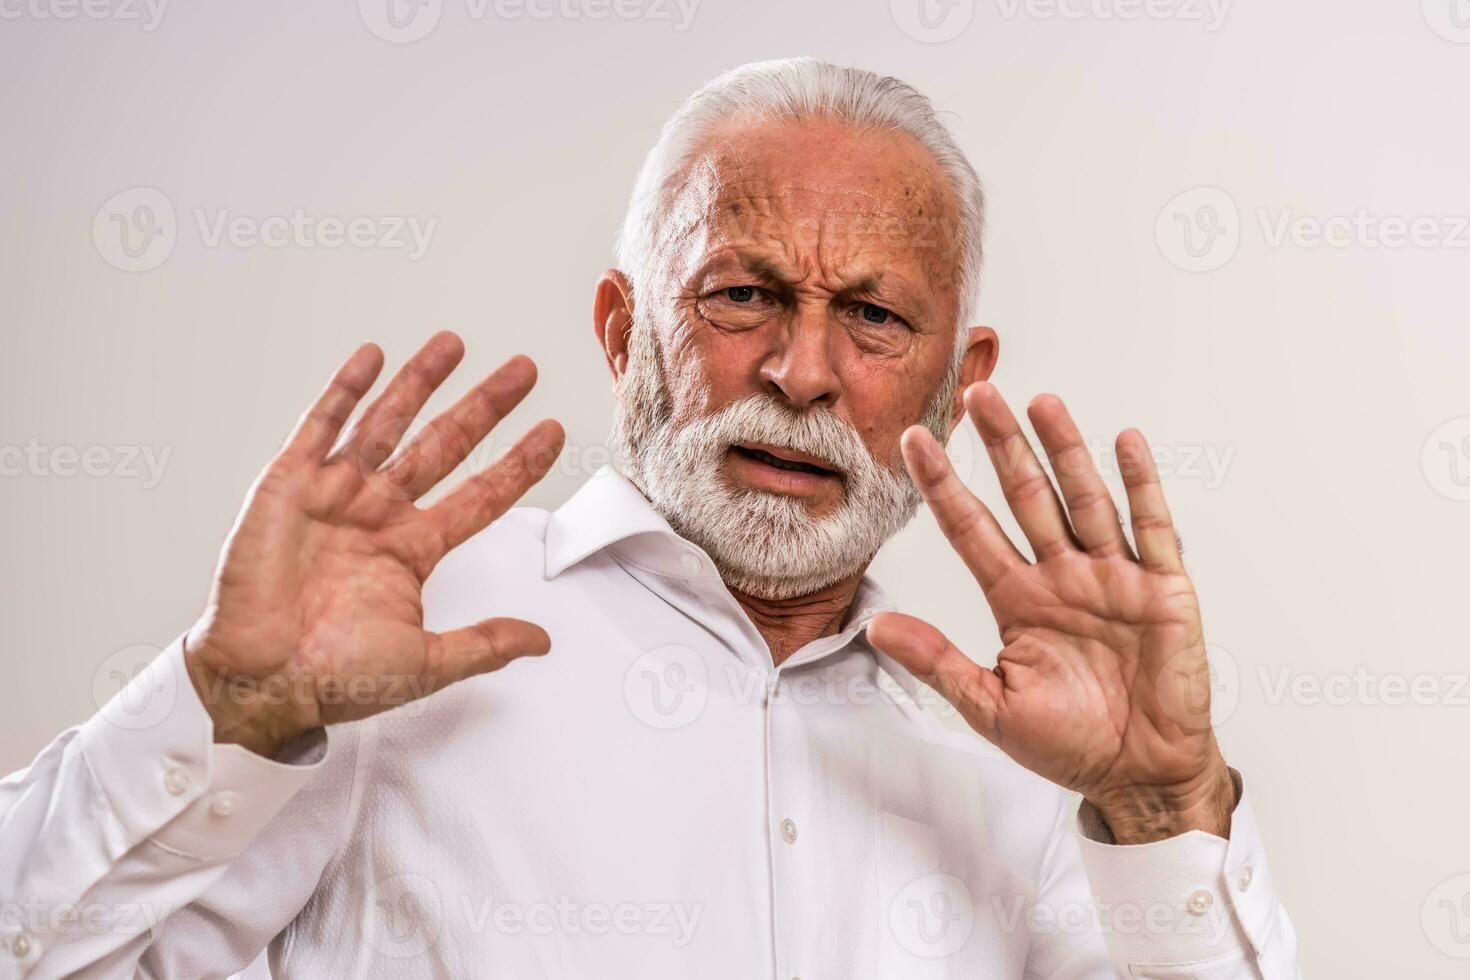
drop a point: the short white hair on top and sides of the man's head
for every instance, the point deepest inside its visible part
(799, 89)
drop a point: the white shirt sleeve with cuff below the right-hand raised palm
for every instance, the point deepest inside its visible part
(1194, 907)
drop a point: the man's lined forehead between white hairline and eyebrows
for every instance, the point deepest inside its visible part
(752, 181)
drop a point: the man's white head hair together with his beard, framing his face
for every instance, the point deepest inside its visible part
(770, 544)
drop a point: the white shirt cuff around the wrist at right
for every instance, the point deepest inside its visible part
(1188, 900)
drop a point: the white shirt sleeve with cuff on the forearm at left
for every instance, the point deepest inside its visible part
(117, 843)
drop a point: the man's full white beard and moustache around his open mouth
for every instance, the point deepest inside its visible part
(767, 546)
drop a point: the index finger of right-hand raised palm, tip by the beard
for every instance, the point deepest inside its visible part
(967, 522)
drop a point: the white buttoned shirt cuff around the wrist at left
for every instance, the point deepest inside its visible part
(152, 753)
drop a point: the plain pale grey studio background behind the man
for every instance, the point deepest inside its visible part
(1302, 390)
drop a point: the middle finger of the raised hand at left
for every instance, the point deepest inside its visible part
(448, 442)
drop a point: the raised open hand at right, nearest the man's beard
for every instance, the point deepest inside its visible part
(1097, 684)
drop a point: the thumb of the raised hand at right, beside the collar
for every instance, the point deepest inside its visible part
(931, 657)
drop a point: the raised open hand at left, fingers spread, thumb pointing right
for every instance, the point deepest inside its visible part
(315, 615)
